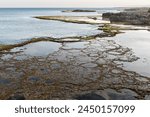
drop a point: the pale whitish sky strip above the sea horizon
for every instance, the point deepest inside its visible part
(74, 3)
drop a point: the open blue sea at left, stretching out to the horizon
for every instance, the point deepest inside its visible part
(18, 24)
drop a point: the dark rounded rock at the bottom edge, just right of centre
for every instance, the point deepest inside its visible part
(90, 96)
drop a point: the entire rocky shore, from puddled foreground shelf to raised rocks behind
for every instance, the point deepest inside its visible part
(79, 67)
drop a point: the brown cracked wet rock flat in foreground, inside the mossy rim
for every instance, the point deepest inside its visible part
(92, 70)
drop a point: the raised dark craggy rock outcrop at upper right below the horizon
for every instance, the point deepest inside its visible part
(137, 16)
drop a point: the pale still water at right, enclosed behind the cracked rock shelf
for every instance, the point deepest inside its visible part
(139, 42)
